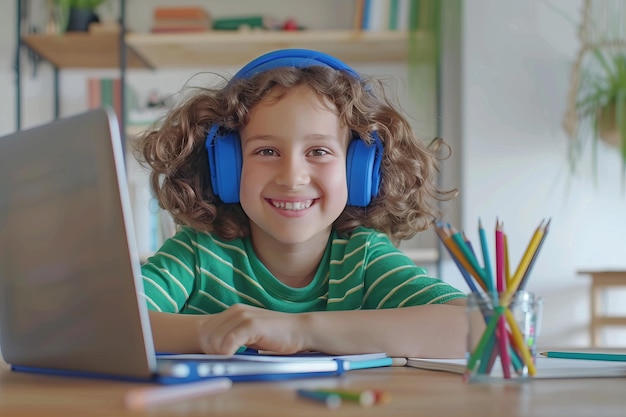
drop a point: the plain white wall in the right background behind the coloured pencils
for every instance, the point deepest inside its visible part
(516, 62)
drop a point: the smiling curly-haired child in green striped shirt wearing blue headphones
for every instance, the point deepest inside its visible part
(292, 182)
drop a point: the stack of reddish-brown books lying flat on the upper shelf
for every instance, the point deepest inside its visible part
(180, 19)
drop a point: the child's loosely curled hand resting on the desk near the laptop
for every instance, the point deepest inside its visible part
(256, 328)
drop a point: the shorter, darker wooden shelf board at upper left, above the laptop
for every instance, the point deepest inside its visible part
(82, 50)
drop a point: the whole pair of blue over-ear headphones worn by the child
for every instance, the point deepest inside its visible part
(224, 148)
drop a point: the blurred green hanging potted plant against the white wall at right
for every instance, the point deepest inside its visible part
(598, 104)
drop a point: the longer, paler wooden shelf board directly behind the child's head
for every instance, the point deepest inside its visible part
(236, 48)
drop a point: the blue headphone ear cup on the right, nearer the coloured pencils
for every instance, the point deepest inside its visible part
(363, 170)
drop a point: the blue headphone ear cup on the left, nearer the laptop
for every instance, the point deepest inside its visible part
(224, 164)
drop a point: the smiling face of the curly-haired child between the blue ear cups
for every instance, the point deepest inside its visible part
(293, 180)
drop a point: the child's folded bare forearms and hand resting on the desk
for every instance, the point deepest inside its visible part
(423, 331)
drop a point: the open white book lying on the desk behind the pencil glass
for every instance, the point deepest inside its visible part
(547, 368)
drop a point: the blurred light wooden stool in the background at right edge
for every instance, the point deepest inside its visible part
(602, 281)
